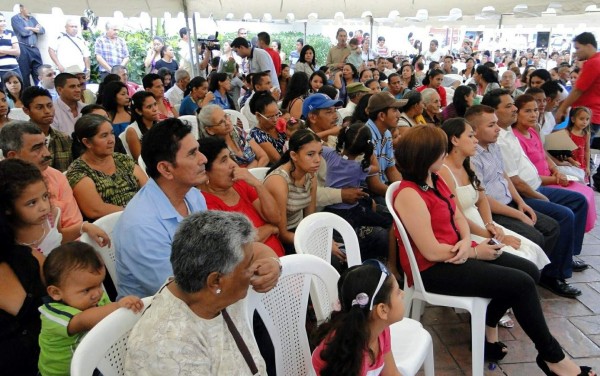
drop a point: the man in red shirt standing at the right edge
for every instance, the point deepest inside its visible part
(586, 91)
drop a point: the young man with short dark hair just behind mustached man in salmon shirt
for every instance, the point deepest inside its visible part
(37, 103)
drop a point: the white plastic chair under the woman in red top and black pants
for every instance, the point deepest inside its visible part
(417, 293)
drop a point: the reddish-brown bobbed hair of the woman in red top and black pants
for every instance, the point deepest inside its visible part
(417, 150)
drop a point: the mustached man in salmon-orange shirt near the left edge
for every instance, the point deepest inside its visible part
(25, 140)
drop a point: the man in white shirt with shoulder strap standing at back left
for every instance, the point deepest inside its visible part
(70, 49)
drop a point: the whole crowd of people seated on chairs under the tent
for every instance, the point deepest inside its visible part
(334, 141)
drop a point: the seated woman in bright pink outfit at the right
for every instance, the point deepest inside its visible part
(524, 130)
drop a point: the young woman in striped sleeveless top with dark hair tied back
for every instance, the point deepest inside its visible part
(293, 183)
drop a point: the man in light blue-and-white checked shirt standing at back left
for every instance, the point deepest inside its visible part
(110, 50)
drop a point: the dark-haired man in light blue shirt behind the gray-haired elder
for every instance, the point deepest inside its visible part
(144, 233)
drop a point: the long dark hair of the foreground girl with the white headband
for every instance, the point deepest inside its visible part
(347, 333)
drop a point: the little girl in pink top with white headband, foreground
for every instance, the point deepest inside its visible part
(356, 341)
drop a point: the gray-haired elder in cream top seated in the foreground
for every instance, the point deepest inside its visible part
(190, 326)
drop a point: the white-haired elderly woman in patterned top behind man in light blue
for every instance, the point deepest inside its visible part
(246, 152)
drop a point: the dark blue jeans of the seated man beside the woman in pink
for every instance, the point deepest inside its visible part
(569, 209)
